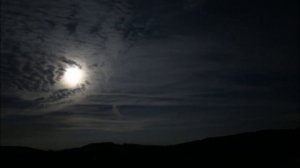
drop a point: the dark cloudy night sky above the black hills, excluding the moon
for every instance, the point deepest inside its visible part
(153, 72)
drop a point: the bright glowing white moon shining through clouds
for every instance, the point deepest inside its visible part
(73, 76)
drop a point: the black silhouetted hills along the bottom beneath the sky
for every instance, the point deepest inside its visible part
(279, 148)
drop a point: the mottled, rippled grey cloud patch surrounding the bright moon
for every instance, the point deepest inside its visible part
(41, 39)
